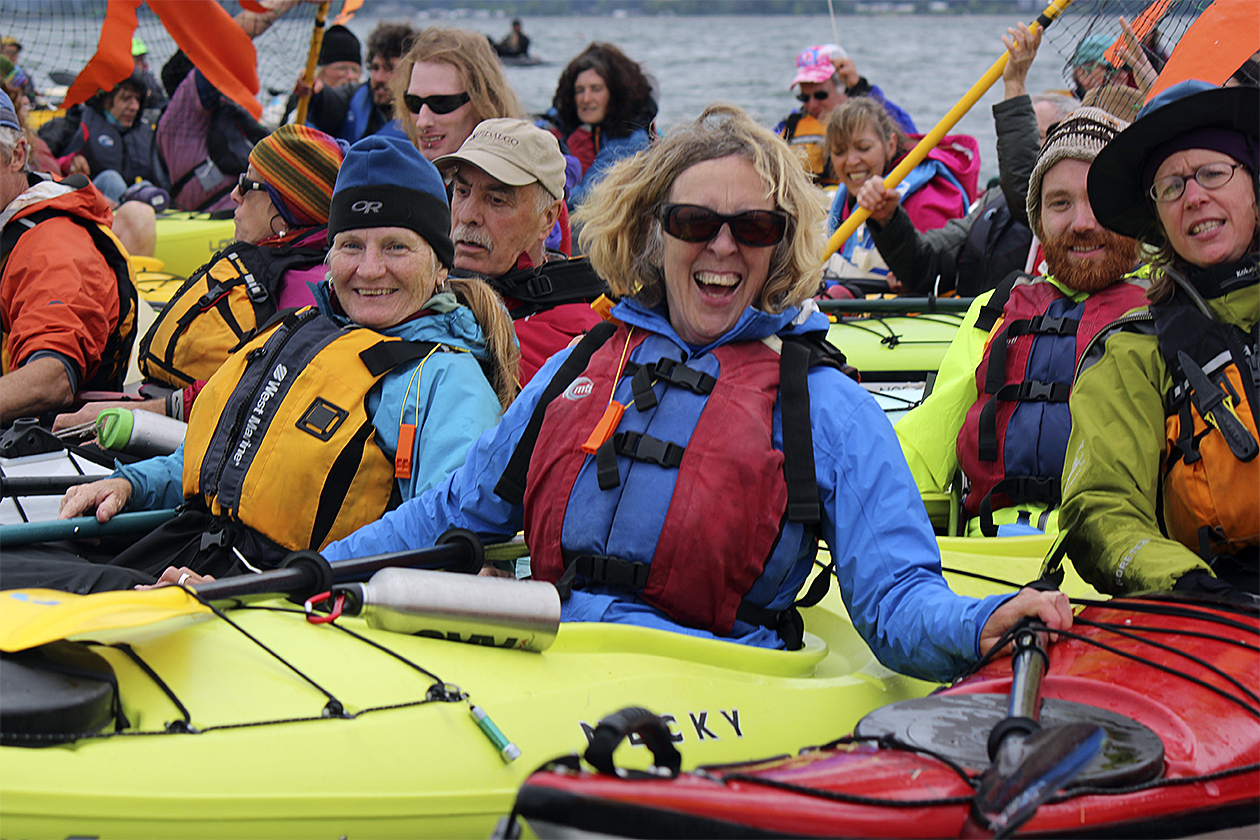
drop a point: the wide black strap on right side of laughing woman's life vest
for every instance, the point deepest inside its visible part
(803, 506)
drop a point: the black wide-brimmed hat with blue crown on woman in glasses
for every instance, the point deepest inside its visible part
(1116, 181)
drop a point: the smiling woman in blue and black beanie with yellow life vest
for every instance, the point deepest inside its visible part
(336, 414)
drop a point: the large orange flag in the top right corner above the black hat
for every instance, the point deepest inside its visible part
(1215, 46)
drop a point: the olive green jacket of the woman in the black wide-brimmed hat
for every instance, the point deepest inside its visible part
(1116, 455)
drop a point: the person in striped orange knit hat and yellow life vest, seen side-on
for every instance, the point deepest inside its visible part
(282, 226)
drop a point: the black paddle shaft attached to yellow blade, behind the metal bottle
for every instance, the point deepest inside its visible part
(307, 574)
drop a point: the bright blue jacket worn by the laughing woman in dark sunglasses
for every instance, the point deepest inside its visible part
(888, 560)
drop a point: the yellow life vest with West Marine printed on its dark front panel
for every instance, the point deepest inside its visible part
(280, 438)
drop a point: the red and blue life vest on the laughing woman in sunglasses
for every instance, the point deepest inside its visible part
(662, 508)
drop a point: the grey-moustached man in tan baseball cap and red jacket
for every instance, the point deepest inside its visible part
(507, 193)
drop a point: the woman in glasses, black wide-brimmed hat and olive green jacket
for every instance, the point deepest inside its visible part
(1162, 482)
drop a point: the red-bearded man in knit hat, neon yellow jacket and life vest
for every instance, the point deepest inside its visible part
(1001, 396)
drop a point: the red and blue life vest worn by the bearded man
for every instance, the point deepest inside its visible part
(1012, 444)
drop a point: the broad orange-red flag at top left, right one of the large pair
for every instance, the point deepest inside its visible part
(216, 45)
